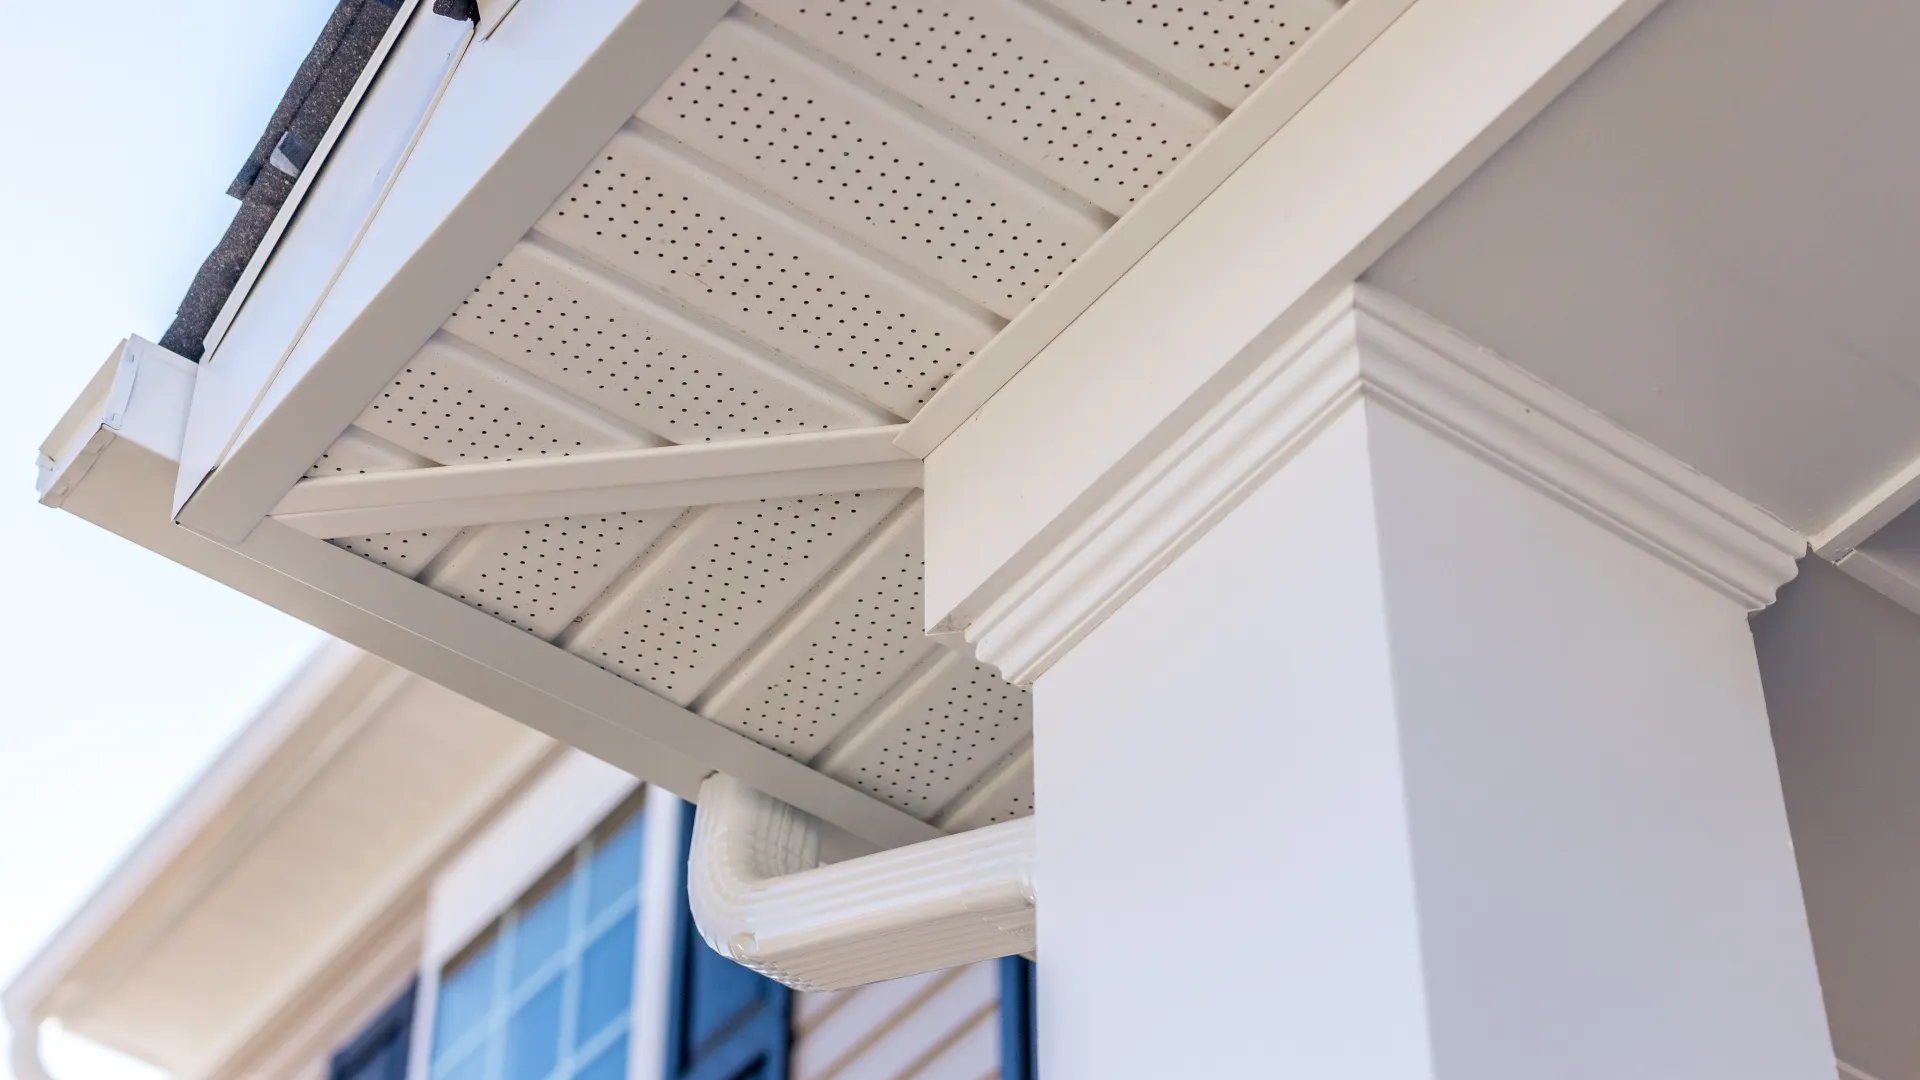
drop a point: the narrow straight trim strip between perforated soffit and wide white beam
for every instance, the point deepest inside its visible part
(1224, 151)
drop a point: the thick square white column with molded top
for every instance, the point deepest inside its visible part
(1401, 720)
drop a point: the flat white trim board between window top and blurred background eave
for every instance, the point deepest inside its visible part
(542, 825)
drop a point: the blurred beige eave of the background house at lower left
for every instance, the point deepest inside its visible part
(270, 866)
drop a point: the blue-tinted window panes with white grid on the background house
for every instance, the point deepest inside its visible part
(546, 993)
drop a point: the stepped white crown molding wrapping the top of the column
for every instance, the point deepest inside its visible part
(1372, 347)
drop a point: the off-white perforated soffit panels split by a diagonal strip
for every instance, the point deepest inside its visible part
(827, 212)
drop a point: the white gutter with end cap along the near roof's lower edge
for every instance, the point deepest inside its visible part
(124, 485)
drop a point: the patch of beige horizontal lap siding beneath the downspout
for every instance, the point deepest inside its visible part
(928, 1027)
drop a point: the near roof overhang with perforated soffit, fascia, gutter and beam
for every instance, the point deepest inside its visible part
(721, 570)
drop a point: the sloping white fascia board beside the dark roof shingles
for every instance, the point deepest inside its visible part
(521, 116)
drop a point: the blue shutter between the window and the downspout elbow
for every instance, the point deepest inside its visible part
(727, 1023)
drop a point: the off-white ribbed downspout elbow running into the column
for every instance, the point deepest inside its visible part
(759, 895)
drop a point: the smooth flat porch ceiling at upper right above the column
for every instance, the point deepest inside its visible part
(1710, 239)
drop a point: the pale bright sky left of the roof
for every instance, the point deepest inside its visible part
(120, 128)
